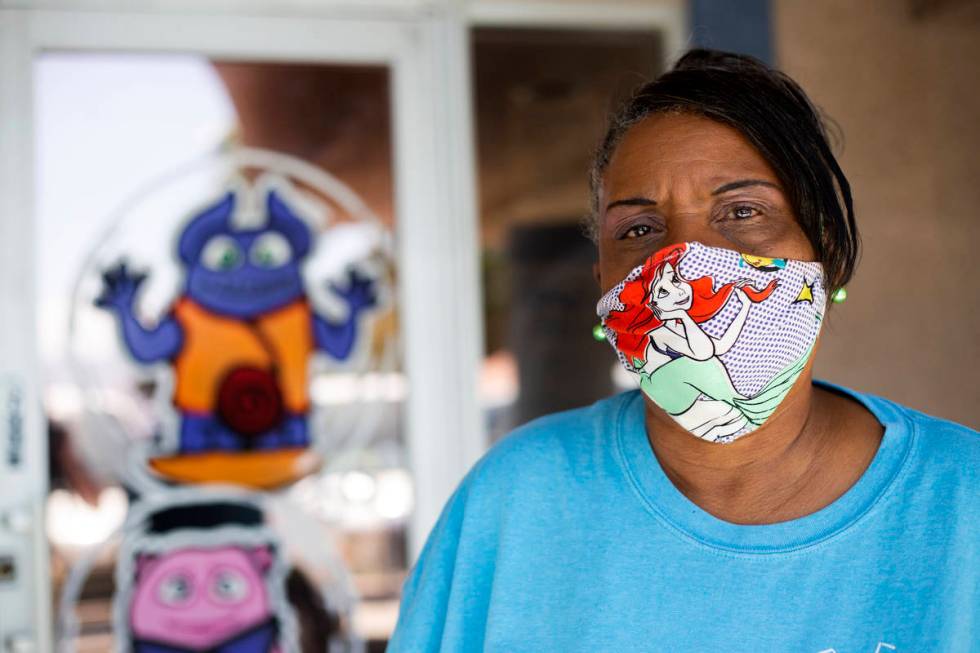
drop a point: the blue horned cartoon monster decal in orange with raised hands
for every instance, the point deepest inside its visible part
(239, 338)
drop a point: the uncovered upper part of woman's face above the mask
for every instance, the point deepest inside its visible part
(678, 178)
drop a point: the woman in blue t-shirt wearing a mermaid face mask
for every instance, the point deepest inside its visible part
(817, 520)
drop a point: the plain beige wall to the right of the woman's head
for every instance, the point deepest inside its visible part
(903, 87)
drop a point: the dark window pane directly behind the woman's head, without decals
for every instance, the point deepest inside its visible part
(542, 99)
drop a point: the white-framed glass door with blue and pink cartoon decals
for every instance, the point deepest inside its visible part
(229, 284)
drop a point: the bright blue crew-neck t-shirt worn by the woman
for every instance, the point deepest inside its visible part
(568, 536)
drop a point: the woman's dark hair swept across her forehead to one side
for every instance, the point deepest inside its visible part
(775, 115)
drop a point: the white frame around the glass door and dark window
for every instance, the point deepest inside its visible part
(426, 45)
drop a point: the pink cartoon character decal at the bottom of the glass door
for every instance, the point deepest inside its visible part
(199, 577)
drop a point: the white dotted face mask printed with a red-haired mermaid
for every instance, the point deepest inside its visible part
(716, 338)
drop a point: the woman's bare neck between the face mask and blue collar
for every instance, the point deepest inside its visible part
(809, 453)
